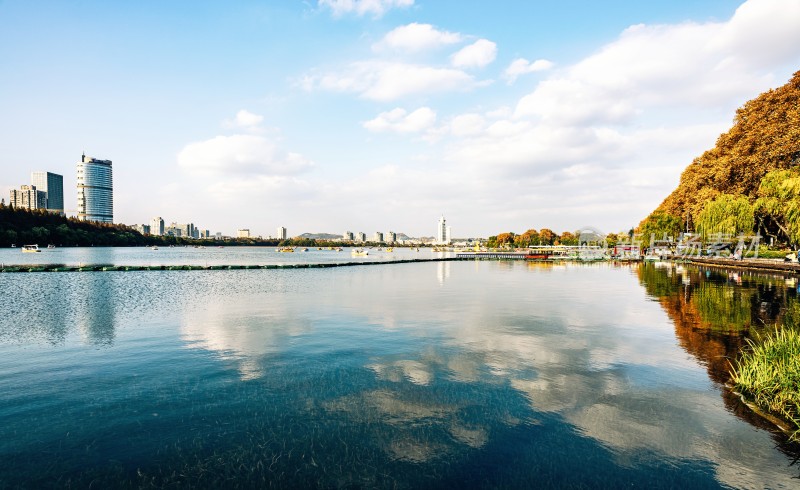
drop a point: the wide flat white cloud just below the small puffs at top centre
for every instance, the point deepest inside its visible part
(386, 81)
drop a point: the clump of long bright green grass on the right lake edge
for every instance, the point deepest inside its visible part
(769, 374)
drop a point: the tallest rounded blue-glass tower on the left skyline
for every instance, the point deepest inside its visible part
(95, 190)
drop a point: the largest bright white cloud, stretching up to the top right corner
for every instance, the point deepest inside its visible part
(664, 65)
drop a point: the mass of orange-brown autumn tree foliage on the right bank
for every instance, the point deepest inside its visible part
(765, 136)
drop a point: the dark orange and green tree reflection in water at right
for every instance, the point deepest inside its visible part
(715, 311)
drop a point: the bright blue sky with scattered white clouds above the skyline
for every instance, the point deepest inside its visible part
(382, 115)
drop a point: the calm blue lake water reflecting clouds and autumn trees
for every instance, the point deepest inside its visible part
(489, 374)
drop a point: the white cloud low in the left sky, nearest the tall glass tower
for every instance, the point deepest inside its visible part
(240, 155)
